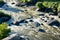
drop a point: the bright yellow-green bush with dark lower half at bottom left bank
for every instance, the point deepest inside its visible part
(4, 32)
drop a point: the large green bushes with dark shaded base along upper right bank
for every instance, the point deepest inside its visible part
(52, 5)
